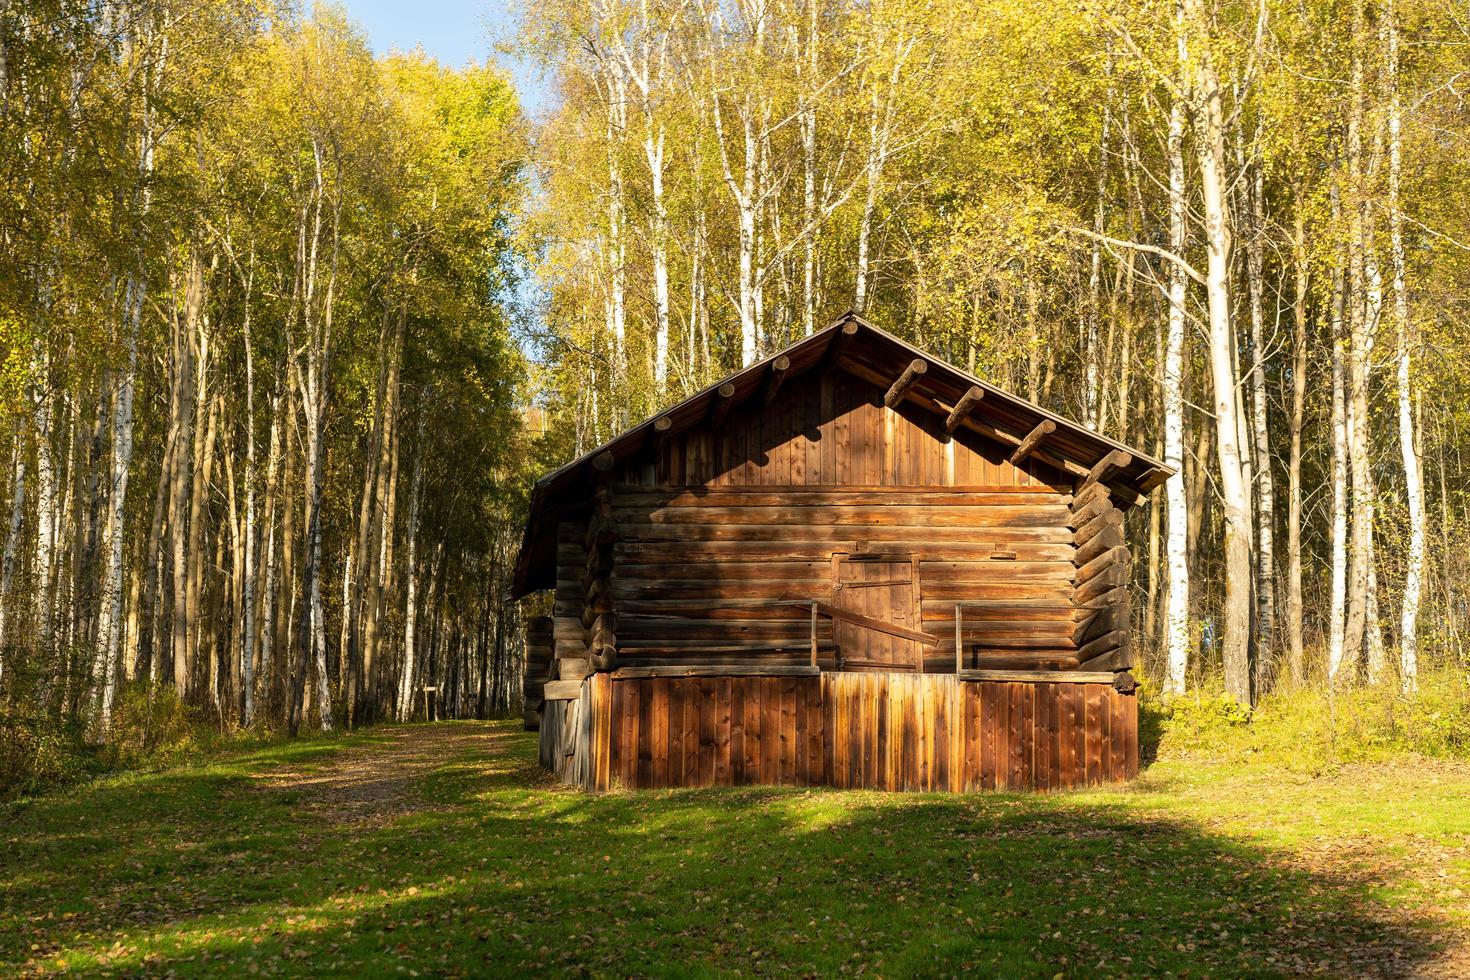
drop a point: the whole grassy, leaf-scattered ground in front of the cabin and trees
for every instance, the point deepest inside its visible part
(445, 851)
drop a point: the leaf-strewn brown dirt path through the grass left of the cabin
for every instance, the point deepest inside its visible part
(379, 778)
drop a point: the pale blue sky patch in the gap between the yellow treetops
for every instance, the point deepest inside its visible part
(453, 32)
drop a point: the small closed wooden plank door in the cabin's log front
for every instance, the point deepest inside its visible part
(886, 591)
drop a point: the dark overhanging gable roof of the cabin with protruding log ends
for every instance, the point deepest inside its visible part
(856, 346)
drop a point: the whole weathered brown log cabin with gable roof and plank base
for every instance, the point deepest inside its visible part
(847, 565)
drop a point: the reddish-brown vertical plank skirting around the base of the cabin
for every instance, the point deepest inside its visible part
(853, 731)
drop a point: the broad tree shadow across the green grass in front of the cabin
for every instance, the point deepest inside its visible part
(207, 876)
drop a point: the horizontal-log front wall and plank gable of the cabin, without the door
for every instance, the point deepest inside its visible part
(718, 527)
